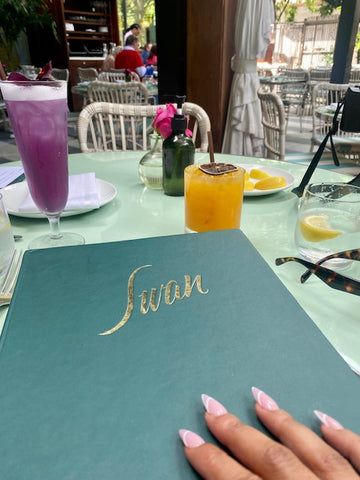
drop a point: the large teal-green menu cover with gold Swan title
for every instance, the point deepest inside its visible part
(182, 316)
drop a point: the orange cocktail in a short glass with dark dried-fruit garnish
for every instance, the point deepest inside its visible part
(213, 201)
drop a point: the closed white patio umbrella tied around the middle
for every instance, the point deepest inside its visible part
(243, 130)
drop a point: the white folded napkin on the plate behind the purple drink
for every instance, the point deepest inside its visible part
(83, 194)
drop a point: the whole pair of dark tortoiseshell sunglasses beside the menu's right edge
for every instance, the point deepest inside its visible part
(333, 279)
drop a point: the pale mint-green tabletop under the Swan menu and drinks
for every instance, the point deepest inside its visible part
(268, 221)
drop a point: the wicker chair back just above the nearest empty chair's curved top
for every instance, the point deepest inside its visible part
(124, 92)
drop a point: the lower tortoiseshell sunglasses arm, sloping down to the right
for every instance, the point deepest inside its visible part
(333, 279)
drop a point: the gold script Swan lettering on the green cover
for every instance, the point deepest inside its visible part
(169, 292)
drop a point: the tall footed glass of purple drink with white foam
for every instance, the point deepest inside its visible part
(38, 116)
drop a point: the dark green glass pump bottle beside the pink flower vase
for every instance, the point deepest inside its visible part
(178, 153)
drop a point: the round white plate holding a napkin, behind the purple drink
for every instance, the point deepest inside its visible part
(14, 195)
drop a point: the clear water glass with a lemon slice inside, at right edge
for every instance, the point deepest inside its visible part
(328, 221)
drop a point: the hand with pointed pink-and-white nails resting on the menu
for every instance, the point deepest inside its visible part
(298, 454)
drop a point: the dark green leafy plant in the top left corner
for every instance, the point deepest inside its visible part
(16, 16)
